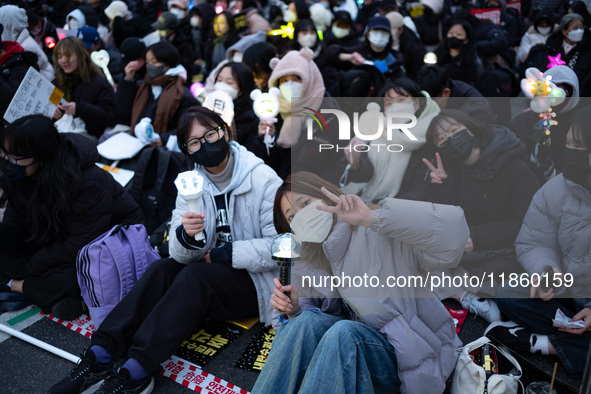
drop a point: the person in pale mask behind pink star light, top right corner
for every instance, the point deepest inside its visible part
(572, 41)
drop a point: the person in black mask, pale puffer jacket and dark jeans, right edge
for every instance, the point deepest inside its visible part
(555, 238)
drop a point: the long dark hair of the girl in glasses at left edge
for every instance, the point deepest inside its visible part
(49, 197)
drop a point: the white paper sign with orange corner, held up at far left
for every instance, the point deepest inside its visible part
(35, 95)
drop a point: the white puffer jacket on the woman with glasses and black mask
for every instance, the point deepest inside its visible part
(250, 214)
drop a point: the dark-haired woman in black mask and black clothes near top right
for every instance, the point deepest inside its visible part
(457, 53)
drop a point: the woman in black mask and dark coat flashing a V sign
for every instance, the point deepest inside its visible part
(480, 168)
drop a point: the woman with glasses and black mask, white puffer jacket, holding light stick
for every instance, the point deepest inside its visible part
(228, 275)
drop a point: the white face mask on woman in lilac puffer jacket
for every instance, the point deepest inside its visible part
(312, 225)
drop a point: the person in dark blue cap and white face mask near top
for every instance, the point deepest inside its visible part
(377, 49)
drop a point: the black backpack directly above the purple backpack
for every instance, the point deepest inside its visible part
(153, 184)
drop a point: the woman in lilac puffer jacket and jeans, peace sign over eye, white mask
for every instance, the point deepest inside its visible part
(321, 328)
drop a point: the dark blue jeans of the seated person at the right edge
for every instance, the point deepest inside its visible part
(535, 315)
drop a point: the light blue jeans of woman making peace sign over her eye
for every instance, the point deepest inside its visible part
(320, 353)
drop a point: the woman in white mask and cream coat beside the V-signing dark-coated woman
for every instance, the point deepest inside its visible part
(390, 170)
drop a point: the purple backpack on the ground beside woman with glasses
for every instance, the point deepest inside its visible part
(108, 267)
